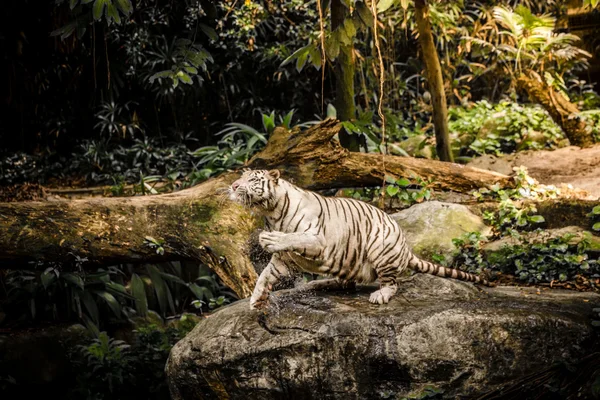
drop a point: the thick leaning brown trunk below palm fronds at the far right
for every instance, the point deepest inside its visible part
(563, 112)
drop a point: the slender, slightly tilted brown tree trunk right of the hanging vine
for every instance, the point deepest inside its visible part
(433, 72)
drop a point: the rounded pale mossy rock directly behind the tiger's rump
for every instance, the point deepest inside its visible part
(430, 227)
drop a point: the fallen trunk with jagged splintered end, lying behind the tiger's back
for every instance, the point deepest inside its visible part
(315, 160)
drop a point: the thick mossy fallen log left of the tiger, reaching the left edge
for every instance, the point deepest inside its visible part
(195, 224)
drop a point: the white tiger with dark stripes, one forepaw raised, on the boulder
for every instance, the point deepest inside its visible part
(347, 239)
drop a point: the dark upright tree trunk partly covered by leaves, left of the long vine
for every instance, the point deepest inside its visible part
(344, 78)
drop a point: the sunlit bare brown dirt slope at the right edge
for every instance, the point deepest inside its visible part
(568, 165)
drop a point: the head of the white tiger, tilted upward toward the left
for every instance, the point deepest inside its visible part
(255, 187)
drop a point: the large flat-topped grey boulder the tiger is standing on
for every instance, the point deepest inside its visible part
(436, 332)
